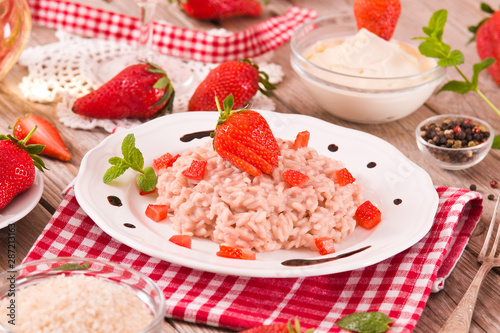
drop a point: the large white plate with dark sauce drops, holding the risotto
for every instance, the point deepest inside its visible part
(393, 178)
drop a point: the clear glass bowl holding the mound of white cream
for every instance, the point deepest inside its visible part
(356, 98)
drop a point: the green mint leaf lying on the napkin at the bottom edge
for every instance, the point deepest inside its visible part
(365, 322)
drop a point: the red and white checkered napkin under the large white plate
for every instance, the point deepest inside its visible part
(398, 286)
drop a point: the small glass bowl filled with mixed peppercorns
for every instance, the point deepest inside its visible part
(451, 158)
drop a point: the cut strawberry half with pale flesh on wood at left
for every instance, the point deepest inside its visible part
(45, 135)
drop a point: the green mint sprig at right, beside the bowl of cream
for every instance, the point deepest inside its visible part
(434, 47)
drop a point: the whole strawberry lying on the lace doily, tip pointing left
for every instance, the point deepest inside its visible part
(139, 91)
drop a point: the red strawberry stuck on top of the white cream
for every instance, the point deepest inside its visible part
(377, 16)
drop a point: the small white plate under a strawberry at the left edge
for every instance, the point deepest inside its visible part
(23, 203)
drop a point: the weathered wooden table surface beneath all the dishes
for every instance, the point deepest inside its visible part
(291, 97)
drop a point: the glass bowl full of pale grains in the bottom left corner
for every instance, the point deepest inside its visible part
(109, 282)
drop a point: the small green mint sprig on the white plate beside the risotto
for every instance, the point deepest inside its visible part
(132, 158)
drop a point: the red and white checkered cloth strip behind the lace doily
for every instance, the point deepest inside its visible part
(168, 39)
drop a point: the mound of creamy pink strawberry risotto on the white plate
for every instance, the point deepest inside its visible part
(263, 213)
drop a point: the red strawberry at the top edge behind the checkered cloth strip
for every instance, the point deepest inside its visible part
(220, 9)
